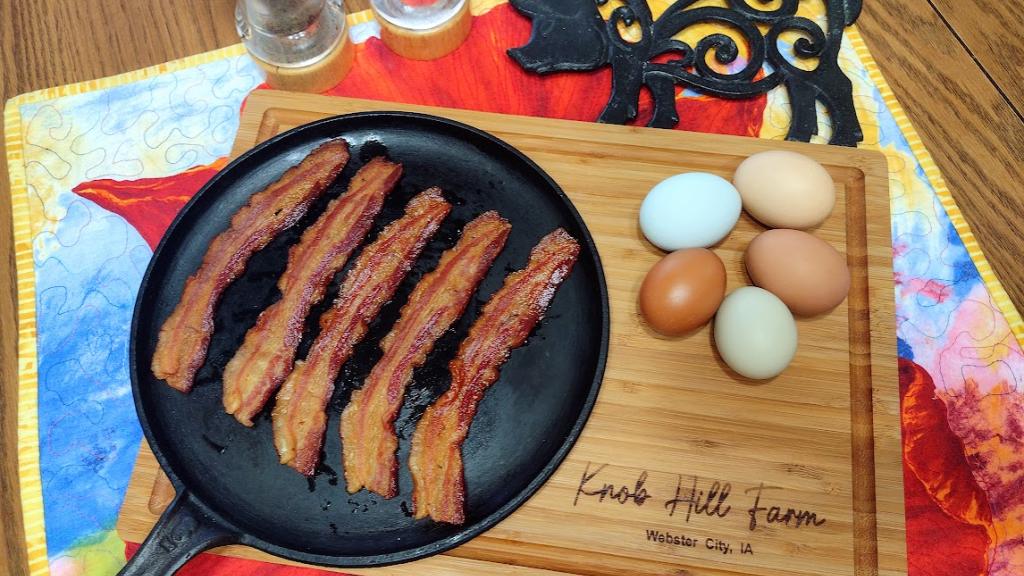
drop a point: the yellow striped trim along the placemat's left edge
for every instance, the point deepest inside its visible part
(28, 416)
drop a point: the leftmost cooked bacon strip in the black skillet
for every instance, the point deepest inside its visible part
(186, 335)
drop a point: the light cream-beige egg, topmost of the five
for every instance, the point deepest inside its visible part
(785, 189)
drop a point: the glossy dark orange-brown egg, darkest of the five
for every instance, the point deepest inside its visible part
(682, 292)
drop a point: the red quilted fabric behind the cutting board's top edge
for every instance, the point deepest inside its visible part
(480, 76)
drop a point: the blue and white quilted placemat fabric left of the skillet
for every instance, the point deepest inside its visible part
(90, 264)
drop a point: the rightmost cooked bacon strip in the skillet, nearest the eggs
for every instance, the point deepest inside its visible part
(439, 486)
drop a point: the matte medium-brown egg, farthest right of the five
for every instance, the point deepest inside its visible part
(803, 271)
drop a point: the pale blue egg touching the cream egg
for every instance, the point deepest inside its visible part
(693, 211)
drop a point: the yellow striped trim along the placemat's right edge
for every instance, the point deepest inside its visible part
(999, 295)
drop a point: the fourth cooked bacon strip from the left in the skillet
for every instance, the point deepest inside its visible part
(369, 441)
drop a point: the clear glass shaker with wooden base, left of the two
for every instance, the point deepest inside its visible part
(303, 45)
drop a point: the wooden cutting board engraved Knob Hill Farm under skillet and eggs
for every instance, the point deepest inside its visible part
(685, 469)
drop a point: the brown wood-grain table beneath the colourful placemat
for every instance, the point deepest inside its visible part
(954, 65)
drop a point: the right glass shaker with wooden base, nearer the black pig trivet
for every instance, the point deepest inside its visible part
(423, 29)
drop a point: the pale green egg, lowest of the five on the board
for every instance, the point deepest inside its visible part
(755, 334)
